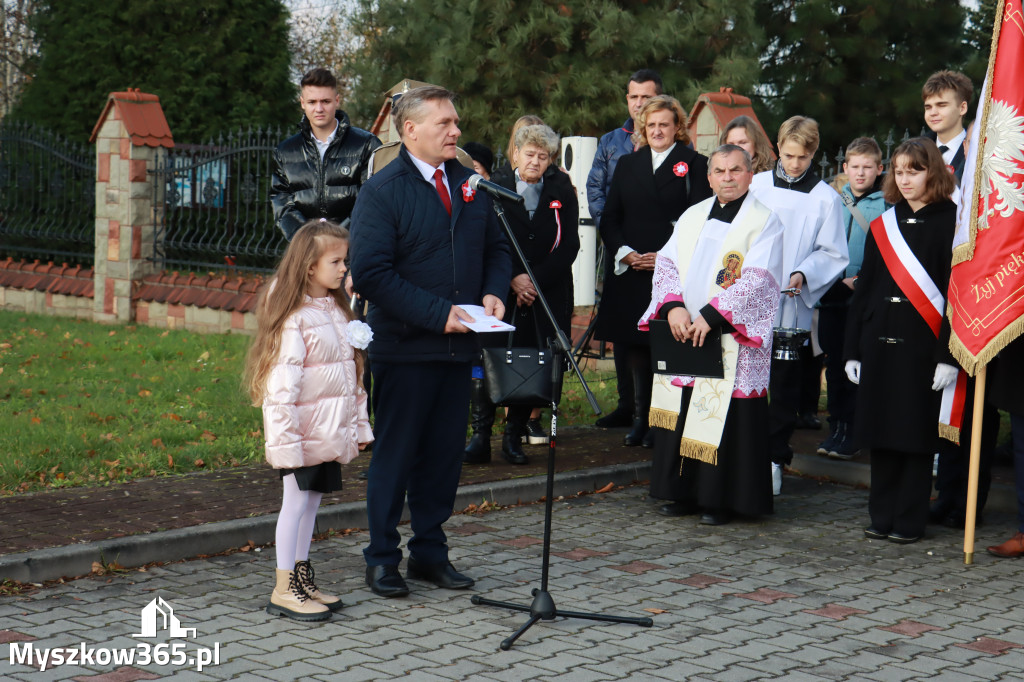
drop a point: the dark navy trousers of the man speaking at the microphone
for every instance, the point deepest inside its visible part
(421, 432)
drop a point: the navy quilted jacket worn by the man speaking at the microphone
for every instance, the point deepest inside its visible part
(413, 262)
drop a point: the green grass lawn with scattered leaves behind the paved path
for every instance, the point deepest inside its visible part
(89, 404)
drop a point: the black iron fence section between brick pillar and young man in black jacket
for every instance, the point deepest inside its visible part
(212, 205)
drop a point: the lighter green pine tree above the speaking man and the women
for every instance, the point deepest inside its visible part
(568, 63)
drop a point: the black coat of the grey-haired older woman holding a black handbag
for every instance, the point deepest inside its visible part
(551, 266)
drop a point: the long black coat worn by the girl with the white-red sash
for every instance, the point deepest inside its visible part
(897, 407)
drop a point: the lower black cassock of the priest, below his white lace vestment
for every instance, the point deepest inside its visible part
(740, 483)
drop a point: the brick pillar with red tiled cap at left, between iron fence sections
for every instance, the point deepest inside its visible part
(126, 149)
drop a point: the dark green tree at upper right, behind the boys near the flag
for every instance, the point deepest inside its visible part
(856, 66)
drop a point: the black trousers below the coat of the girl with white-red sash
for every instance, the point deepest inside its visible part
(902, 487)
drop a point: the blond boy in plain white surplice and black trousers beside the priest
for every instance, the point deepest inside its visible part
(816, 255)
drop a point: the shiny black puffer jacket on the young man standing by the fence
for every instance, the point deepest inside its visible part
(305, 188)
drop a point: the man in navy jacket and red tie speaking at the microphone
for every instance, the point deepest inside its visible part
(422, 244)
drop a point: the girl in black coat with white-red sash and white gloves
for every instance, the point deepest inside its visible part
(898, 339)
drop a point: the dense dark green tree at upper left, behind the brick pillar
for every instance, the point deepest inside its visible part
(216, 65)
